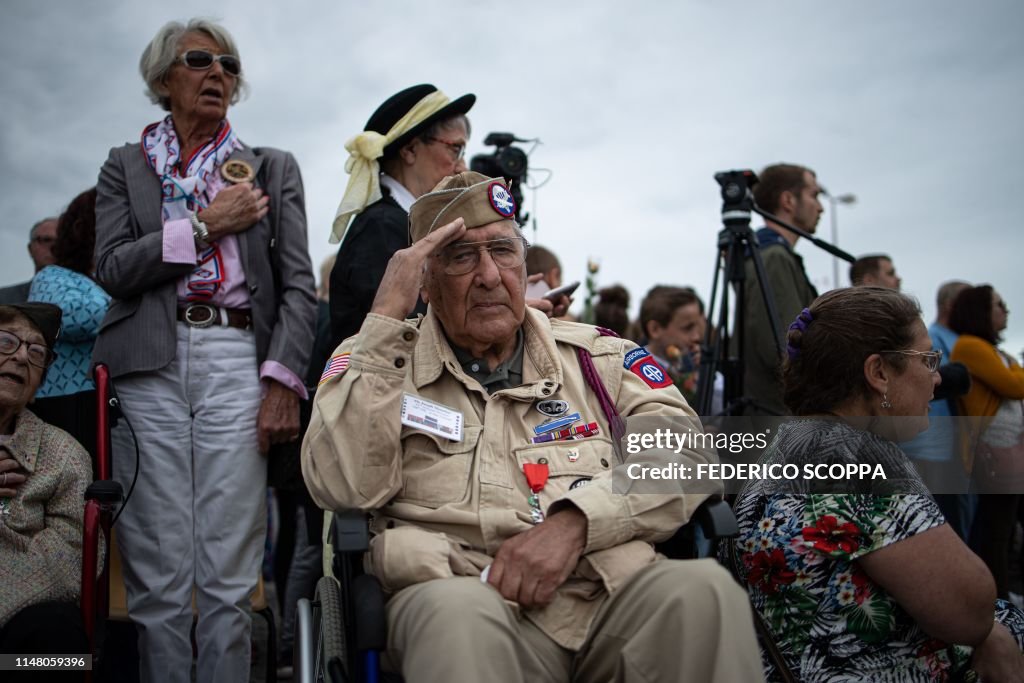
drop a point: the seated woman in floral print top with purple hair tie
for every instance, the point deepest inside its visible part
(871, 584)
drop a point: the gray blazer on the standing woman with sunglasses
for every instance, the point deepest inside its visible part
(138, 334)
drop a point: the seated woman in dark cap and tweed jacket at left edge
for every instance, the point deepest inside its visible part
(44, 477)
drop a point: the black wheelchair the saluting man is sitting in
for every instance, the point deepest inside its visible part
(342, 633)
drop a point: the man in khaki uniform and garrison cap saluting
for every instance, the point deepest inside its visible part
(475, 432)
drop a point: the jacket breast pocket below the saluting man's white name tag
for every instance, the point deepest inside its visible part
(437, 472)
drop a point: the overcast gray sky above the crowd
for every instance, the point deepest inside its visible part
(916, 107)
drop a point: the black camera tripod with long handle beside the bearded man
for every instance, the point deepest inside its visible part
(736, 242)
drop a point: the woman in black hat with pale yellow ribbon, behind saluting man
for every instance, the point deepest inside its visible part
(412, 142)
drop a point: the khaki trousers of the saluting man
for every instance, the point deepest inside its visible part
(675, 621)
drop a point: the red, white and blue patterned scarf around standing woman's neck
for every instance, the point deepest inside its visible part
(184, 193)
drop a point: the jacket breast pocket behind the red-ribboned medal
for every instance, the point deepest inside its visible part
(571, 464)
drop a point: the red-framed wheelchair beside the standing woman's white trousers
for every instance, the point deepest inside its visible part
(103, 591)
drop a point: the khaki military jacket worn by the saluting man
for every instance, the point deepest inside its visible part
(443, 508)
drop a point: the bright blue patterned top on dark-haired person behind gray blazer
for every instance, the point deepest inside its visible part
(84, 305)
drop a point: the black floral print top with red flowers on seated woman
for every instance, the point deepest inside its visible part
(797, 553)
